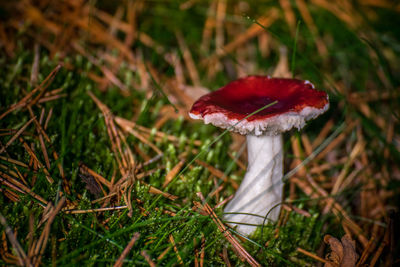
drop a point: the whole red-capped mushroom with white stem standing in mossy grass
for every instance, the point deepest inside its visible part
(296, 102)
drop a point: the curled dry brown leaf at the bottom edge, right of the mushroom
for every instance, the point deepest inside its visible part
(343, 252)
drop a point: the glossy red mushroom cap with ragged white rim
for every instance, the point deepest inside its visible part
(297, 103)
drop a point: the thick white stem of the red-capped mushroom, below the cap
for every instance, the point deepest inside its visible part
(261, 188)
